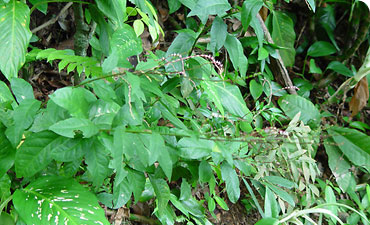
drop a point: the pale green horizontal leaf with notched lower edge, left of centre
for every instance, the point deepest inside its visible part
(70, 127)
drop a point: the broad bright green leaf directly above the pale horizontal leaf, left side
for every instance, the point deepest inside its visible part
(76, 100)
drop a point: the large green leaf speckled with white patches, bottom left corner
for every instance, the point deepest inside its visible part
(60, 200)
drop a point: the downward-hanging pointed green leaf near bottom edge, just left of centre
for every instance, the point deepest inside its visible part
(162, 192)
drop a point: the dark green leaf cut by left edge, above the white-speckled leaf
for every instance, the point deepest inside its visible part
(7, 154)
